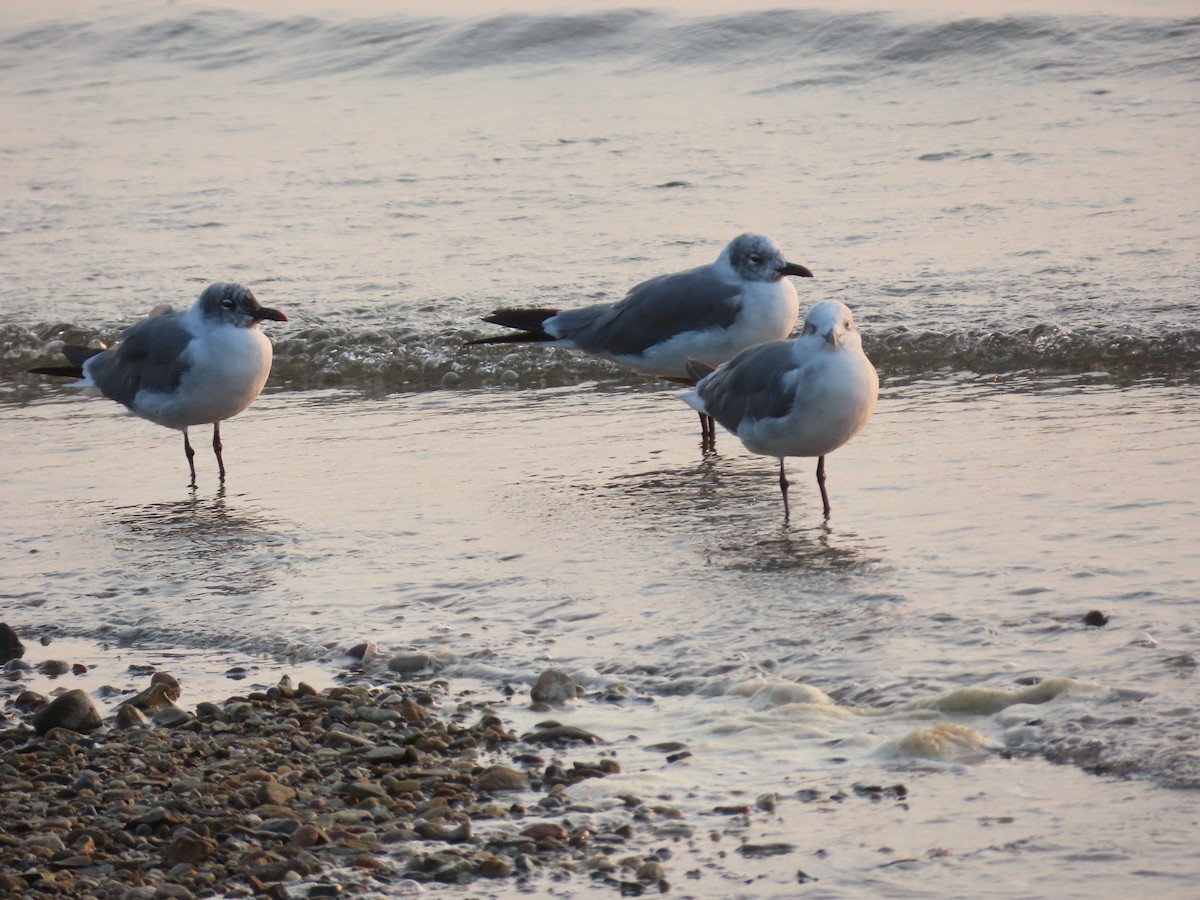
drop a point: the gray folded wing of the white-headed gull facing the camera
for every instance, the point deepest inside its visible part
(752, 386)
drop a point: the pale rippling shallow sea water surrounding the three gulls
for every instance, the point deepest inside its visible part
(999, 201)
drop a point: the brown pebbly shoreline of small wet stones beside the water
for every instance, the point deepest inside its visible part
(374, 788)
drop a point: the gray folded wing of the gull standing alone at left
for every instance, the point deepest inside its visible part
(148, 358)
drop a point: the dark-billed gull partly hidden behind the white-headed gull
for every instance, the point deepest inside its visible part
(709, 315)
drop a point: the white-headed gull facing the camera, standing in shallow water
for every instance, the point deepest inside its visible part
(801, 398)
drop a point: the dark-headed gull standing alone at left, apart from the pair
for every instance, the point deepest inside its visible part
(182, 369)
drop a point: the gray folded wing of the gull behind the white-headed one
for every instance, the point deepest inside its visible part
(652, 313)
